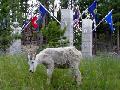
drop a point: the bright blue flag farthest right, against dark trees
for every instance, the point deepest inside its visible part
(108, 19)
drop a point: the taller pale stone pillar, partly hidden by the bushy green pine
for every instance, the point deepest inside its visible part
(67, 21)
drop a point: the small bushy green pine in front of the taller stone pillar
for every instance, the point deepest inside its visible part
(54, 35)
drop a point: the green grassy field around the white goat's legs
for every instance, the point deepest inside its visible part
(99, 73)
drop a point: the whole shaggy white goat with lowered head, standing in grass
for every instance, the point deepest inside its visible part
(63, 57)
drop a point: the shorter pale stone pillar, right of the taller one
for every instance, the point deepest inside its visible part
(87, 37)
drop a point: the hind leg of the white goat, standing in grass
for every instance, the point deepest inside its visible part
(77, 74)
